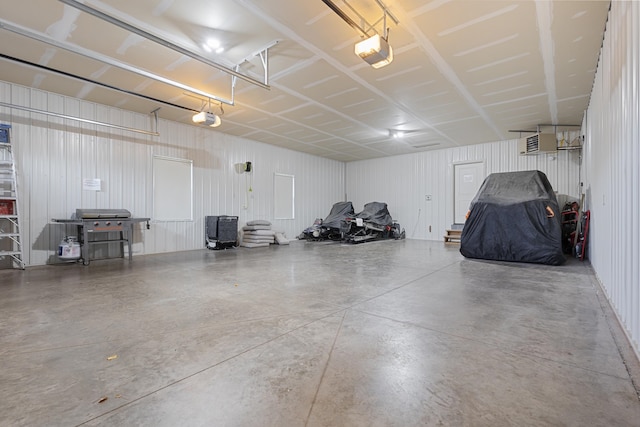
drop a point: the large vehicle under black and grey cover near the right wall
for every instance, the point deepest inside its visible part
(514, 217)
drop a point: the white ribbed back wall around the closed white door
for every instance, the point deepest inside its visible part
(404, 181)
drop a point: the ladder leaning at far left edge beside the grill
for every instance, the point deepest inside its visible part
(10, 236)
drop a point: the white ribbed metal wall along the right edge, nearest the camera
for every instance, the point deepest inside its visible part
(612, 165)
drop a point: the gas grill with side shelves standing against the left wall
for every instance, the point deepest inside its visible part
(93, 223)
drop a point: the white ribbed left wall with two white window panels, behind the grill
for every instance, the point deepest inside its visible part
(54, 156)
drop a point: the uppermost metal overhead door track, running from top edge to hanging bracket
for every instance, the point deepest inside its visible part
(163, 42)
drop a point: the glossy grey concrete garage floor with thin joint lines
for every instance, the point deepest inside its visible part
(393, 333)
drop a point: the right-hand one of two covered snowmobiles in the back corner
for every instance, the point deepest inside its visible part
(373, 223)
